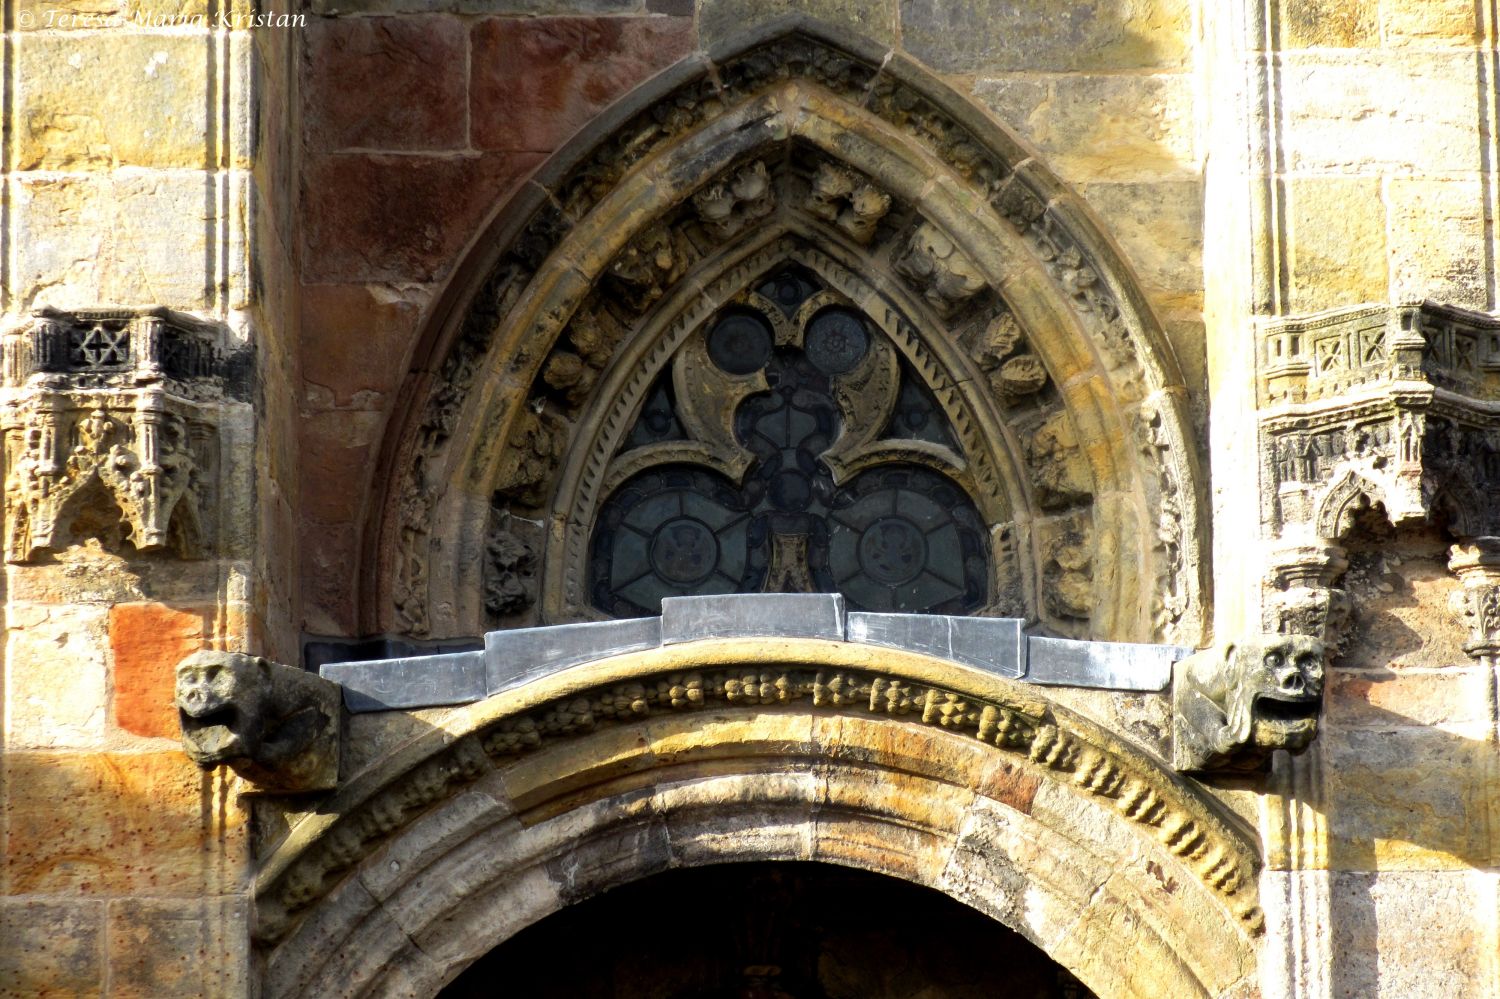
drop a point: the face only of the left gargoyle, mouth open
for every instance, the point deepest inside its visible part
(221, 704)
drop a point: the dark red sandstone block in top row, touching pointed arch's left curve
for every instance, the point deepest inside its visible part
(538, 82)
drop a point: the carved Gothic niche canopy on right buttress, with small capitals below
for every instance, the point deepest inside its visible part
(1378, 406)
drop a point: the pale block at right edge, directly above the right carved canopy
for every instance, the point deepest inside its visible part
(1438, 242)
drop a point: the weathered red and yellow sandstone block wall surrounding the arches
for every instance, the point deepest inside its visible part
(313, 188)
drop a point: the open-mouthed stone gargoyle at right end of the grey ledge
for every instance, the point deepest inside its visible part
(1237, 704)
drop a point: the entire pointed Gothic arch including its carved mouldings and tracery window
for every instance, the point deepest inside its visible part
(794, 316)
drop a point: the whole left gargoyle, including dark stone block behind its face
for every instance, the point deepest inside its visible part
(277, 727)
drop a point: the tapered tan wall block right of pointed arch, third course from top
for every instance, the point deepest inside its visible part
(1160, 227)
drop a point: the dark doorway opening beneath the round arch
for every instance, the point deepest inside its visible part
(770, 931)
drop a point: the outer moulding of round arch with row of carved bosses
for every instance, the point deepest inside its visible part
(763, 679)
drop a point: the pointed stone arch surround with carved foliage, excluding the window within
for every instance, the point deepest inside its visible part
(979, 268)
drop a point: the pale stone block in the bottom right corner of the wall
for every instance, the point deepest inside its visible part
(1384, 940)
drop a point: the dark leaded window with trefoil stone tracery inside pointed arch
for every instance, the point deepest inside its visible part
(847, 464)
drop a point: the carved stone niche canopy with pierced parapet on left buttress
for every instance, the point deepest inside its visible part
(119, 400)
